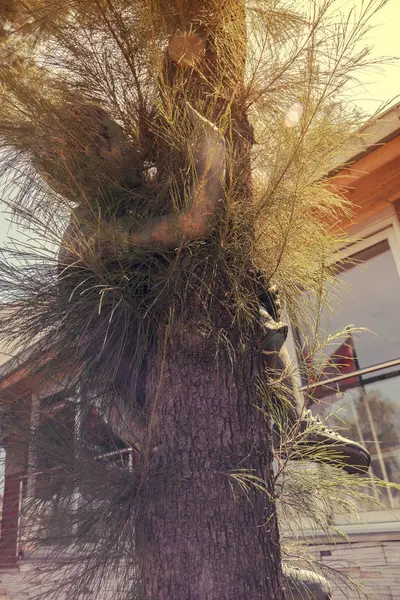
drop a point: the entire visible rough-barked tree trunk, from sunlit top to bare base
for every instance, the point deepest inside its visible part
(200, 535)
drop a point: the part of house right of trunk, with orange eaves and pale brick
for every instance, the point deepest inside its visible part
(364, 391)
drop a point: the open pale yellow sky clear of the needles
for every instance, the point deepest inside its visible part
(379, 85)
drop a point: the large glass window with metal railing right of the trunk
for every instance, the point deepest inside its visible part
(360, 387)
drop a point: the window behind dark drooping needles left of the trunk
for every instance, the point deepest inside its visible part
(62, 487)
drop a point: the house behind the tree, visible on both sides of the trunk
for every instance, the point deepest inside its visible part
(368, 388)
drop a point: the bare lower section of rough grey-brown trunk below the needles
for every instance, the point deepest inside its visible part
(202, 536)
